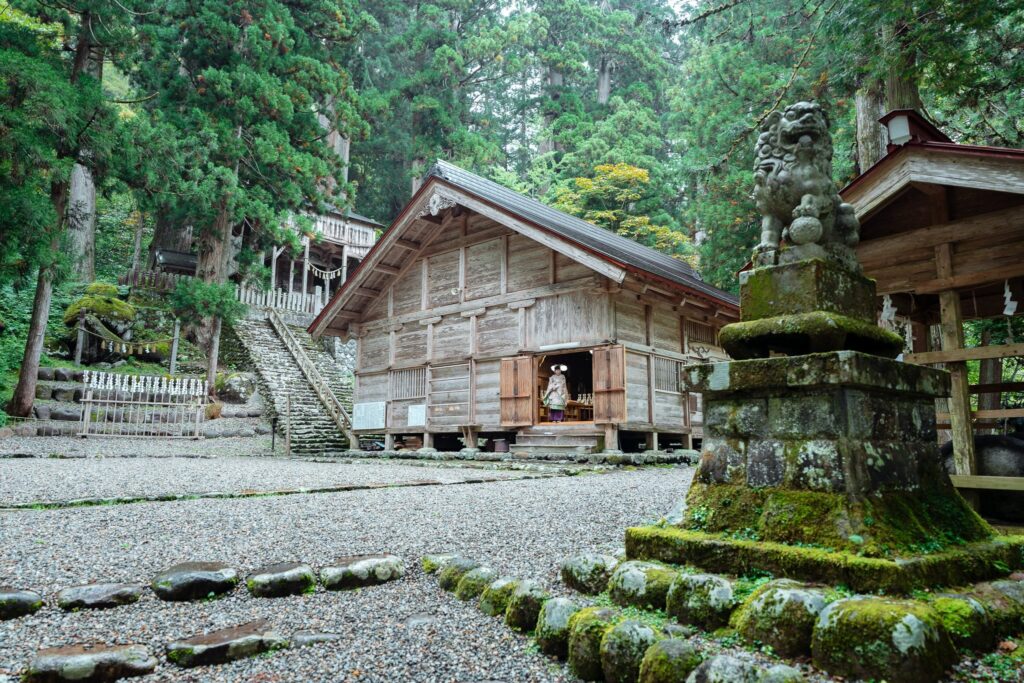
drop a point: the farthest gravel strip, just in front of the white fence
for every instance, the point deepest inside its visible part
(73, 447)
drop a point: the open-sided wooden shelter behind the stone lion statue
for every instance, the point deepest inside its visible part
(943, 234)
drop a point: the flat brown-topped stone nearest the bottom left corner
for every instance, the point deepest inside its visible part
(86, 664)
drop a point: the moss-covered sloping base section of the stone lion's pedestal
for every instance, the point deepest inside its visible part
(889, 525)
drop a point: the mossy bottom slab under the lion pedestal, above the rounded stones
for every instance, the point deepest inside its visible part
(717, 552)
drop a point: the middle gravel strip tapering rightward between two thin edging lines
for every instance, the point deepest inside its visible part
(37, 480)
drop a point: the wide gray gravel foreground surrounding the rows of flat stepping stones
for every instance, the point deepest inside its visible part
(523, 527)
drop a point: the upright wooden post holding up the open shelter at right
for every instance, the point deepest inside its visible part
(952, 331)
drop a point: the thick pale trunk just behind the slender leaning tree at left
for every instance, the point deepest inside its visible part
(81, 244)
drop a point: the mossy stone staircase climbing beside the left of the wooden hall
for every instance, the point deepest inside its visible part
(314, 432)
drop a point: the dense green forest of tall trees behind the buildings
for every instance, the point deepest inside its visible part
(125, 126)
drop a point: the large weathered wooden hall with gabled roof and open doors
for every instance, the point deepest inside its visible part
(476, 291)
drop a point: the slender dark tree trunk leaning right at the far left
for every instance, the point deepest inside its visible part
(25, 392)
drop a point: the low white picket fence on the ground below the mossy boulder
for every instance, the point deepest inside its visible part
(143, 406)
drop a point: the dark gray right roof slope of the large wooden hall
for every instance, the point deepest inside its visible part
(595, 239)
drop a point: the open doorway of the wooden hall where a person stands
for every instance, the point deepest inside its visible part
(577, 399)
